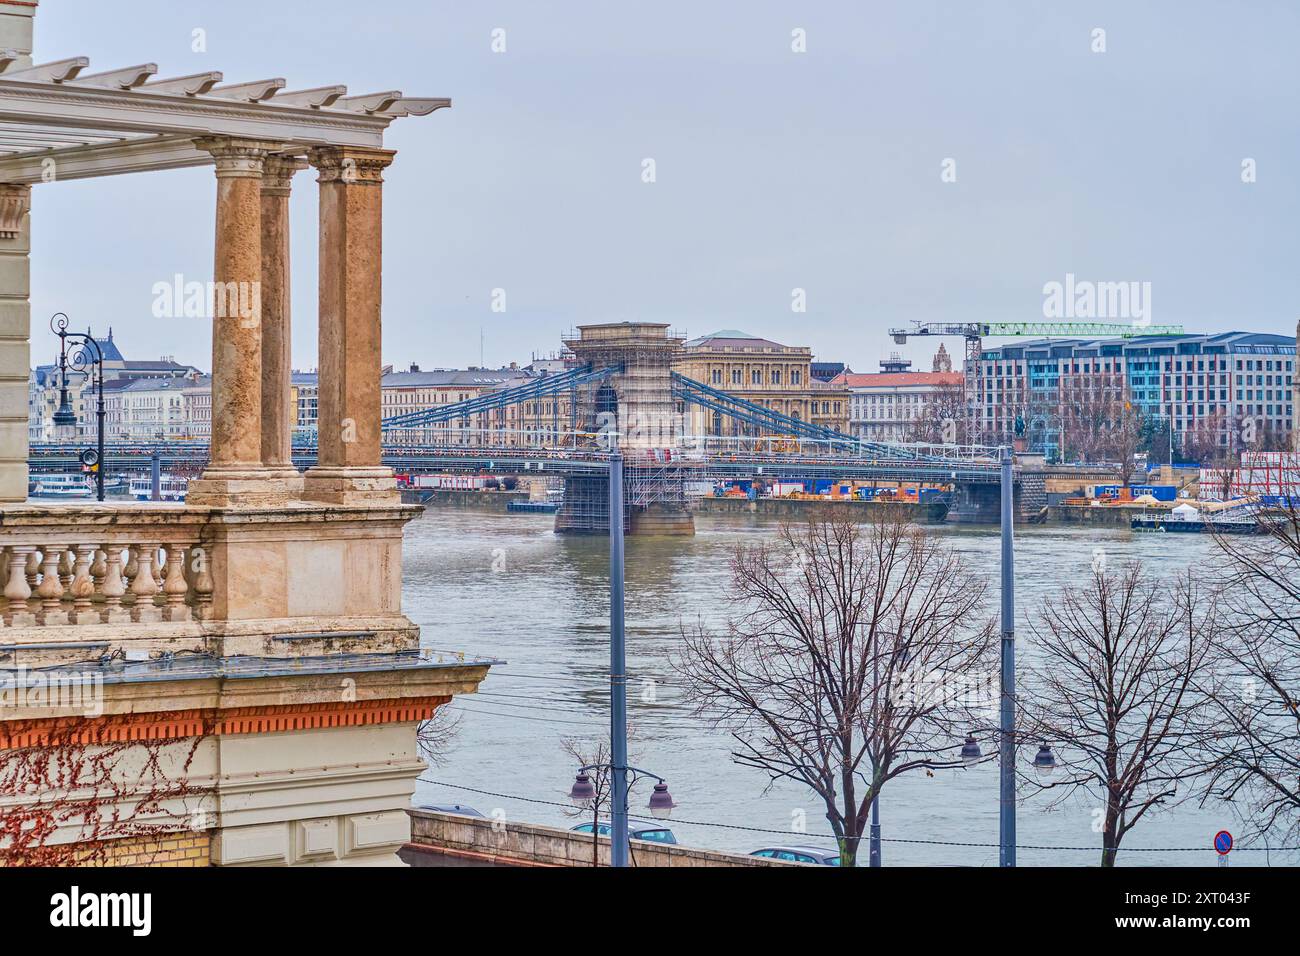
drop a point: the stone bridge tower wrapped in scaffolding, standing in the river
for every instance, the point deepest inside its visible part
(636, 405)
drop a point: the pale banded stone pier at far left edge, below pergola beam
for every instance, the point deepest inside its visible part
(15, 331)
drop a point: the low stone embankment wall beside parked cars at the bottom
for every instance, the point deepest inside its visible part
(486, 842)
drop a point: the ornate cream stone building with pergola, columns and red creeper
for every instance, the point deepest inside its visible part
(229, 681)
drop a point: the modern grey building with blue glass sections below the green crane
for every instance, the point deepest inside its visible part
(1234, 387)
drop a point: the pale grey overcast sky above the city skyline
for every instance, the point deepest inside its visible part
(894, 161)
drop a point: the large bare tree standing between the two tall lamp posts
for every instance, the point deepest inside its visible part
(853, 655)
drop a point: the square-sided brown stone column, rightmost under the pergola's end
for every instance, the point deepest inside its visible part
(349, 469)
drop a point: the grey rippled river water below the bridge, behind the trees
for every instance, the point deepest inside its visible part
(506, 587)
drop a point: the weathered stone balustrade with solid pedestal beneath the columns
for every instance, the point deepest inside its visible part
(293, 582)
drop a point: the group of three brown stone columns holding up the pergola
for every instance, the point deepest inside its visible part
(250, 461)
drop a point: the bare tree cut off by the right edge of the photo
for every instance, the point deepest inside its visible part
(1258, 698)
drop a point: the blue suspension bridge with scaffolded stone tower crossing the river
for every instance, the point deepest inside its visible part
(621, 392)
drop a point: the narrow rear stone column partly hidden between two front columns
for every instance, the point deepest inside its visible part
(278, 417)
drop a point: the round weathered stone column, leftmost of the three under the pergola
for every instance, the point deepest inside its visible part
(236, 474)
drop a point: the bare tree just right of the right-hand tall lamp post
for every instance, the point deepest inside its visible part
(1115, 685)
